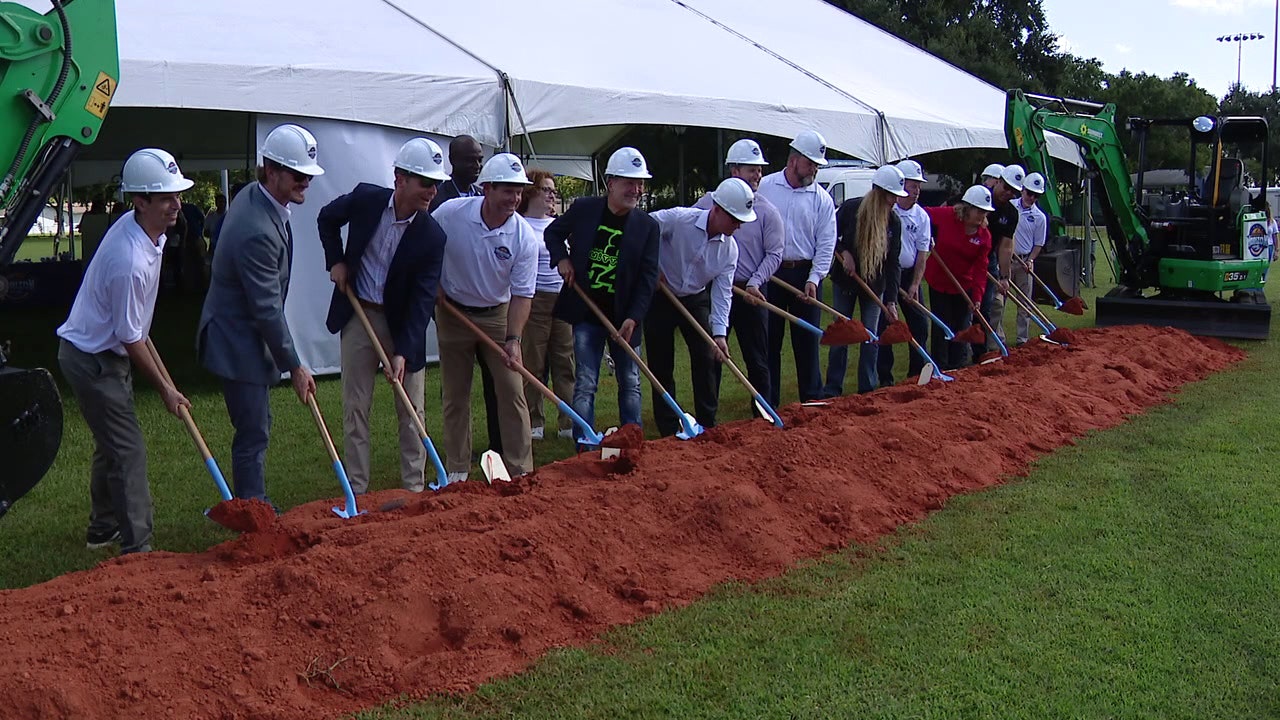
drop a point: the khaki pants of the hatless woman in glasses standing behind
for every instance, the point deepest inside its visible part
(548, 343)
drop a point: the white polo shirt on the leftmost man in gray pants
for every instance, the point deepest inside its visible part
(117, 300)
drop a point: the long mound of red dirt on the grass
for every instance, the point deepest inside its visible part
(317, 616)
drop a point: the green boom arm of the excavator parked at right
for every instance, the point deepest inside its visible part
(1028, 117)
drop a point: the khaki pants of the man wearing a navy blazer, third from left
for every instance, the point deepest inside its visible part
(360, 371)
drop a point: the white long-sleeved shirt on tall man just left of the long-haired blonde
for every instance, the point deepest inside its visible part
(810, 218)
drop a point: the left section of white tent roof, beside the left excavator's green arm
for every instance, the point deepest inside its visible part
(344, 60)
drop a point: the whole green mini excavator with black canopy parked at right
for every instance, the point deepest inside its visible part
(1192, 257)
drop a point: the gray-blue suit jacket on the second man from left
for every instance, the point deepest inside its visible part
(243, 332)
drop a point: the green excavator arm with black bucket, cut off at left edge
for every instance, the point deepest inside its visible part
(60, 72)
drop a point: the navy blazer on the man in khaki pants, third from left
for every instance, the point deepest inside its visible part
(409, 295)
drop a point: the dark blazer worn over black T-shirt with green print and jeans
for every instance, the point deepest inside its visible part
(638, 261)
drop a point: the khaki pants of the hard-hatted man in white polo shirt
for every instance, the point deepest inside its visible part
(459, 348)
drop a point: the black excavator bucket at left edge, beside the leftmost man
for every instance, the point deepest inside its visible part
(31, 430)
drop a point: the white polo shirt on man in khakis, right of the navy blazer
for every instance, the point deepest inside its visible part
(486, 267)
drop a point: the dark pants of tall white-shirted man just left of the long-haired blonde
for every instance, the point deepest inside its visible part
(804, 345)
